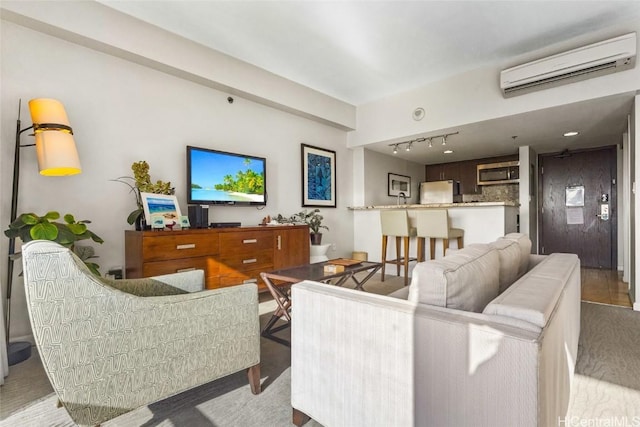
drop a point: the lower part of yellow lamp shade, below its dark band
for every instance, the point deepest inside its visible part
(57, 154)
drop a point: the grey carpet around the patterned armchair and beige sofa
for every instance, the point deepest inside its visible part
(607, 386)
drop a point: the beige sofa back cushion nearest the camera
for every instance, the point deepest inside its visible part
(465, 280)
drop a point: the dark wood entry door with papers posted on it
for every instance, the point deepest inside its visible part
(576, 229)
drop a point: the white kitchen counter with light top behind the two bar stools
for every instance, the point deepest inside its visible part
(482, 222)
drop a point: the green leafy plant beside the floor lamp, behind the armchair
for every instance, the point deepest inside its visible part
(29, 226)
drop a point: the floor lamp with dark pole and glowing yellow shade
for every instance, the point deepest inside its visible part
(57, 156)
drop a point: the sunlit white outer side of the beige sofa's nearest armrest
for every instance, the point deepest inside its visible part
(351, 357)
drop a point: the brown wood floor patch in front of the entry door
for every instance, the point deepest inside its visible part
(605, 287)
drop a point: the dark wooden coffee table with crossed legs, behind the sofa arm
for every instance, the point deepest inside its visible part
(279, 283)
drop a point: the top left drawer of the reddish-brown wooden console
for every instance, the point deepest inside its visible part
(172, 247)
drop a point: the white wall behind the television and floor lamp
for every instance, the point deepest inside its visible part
(122, 112)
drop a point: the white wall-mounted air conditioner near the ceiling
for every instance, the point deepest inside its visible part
(597, 59)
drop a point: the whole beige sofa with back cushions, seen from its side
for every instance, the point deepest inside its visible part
(487, 336)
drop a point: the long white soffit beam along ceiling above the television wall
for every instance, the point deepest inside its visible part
(91, 24)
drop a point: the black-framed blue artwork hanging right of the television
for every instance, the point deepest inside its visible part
(318, 177)
